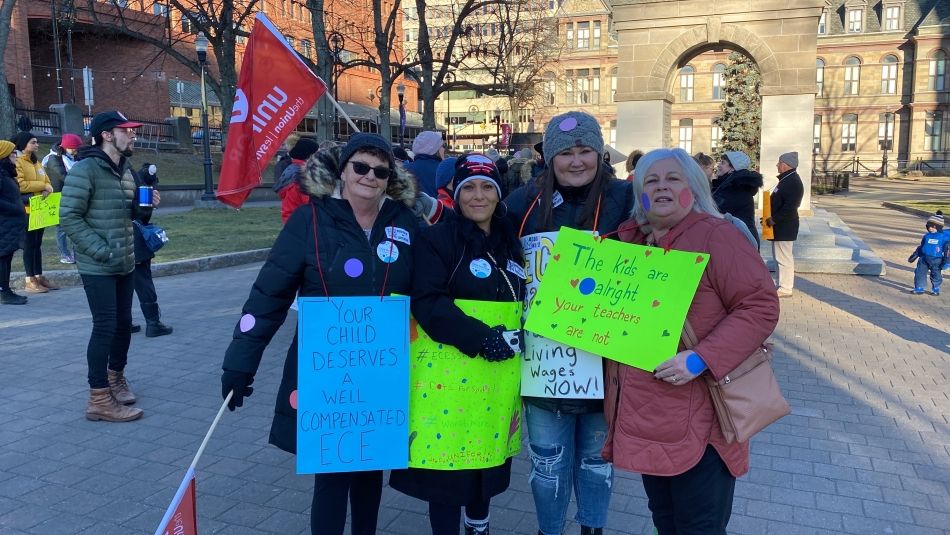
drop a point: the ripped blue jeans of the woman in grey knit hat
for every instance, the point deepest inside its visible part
(565, 454)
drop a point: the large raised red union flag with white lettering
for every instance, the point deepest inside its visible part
(275, 91)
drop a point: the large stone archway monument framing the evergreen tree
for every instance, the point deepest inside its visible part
(656, 36)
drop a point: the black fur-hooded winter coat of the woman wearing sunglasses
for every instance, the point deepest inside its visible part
(291, 267)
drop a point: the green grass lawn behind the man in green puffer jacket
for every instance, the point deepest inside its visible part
(192, 234)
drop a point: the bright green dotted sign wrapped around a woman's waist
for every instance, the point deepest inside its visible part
(464, 412)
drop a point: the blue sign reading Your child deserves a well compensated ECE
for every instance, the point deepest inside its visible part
(352, 384)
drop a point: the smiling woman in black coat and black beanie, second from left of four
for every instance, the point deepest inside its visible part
(477, 236)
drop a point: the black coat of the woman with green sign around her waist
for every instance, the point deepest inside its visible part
(442, 256)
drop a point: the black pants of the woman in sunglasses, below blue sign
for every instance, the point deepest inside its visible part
(328, 509)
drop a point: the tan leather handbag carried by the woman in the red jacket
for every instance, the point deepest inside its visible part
(748, 398)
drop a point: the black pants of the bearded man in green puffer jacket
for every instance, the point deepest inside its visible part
(110, 301)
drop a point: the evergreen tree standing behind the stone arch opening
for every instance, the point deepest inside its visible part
(741, 119)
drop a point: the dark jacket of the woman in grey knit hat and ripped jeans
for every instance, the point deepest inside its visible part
(615, 208)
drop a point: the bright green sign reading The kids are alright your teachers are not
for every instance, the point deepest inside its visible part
(622, 301)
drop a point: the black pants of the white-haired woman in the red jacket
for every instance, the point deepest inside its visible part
(697, 502)
